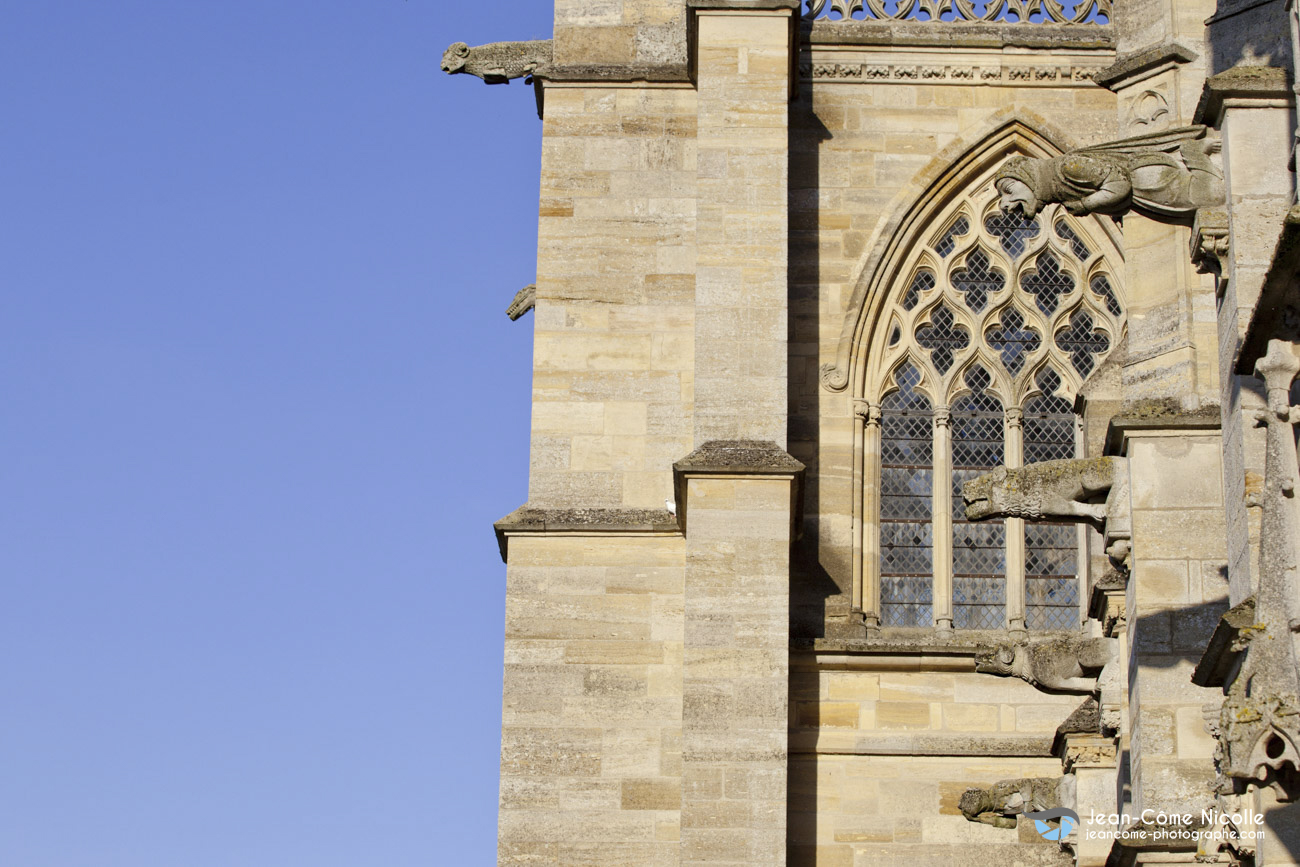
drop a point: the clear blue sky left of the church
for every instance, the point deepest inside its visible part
(259, 406)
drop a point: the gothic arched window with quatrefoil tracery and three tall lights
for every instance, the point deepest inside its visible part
(998, 323)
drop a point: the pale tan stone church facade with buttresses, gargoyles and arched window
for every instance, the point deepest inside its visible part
(913, 436)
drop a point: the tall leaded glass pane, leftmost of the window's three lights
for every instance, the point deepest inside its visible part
(907, 487)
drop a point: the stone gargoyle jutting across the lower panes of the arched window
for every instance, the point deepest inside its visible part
(1093, 491)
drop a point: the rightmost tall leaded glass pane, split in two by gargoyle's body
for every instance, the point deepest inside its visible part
(1051, 550)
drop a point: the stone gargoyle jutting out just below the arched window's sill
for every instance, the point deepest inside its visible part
(1065, 665)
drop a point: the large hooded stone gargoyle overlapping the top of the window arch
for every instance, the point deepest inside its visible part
(1167, 176)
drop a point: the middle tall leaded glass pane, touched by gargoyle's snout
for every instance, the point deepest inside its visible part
(980, 549)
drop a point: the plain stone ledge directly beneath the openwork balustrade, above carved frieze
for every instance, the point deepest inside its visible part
(963, 36)
